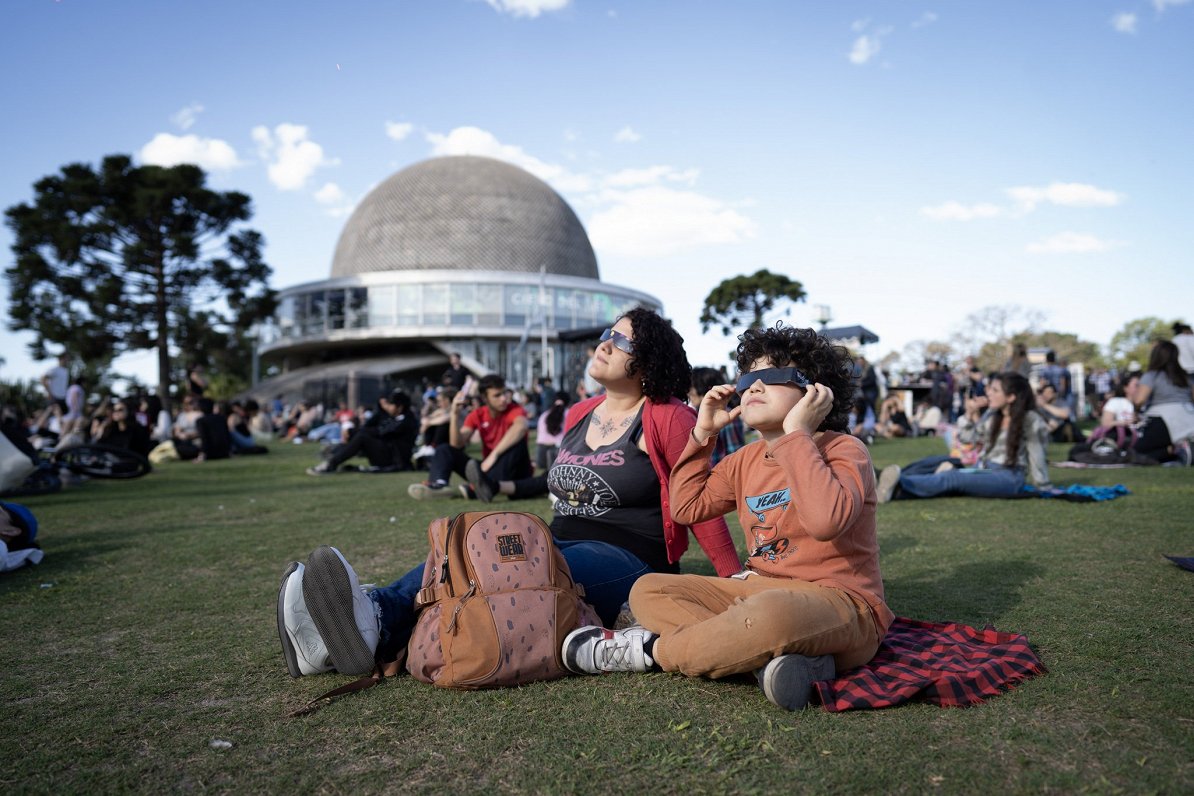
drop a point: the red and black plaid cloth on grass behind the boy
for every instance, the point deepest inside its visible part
(951, 665)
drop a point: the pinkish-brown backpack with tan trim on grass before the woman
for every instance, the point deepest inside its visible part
(496, 604)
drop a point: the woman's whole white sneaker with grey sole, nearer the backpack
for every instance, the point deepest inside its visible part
(344, 615)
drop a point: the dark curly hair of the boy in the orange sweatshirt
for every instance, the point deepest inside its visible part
(817, 359)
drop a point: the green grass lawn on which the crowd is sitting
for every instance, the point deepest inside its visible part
(149, 632)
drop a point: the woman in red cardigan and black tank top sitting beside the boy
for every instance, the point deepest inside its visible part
(613, 522)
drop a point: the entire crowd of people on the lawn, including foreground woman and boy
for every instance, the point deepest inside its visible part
(648, 452)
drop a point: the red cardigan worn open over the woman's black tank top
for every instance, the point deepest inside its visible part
(667, 428)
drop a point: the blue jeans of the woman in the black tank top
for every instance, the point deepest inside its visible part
(606, 571)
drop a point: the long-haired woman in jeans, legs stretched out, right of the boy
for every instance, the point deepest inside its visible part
(1013, 436)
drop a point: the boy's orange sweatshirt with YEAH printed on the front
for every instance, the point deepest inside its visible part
(808, 509)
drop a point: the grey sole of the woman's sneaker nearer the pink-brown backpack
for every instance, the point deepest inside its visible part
(329, 594)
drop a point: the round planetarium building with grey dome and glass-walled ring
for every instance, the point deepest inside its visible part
(453, 255)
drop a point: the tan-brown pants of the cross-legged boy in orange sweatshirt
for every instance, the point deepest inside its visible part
(716, 627)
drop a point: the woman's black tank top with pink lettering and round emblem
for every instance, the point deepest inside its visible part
(610, 495)
